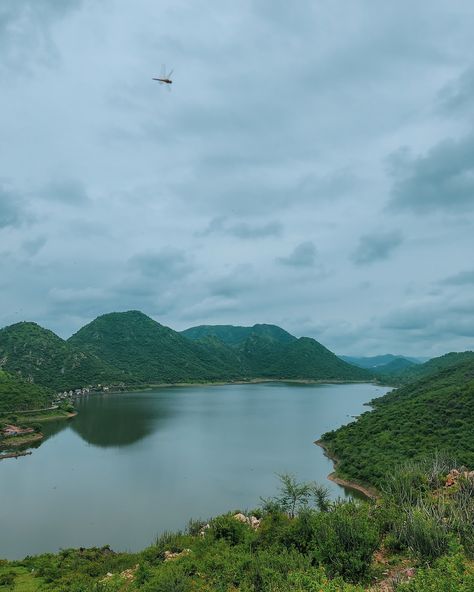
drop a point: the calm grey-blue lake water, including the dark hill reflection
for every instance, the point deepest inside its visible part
(132, 465)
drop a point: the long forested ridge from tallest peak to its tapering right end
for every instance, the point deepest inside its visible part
(154, 353)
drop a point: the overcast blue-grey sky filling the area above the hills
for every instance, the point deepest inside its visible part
(312, 167)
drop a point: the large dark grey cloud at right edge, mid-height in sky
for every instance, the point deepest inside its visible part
(442, 179)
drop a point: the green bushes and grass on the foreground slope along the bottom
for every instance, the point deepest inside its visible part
(413, 539)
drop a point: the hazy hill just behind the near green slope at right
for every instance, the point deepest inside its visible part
(405, 373)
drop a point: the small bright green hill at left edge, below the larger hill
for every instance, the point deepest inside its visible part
(19, 395)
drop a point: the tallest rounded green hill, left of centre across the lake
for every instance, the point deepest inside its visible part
(153, 353)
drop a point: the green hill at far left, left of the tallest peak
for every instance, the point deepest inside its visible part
(40, 356)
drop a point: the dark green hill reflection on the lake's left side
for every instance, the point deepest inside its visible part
(118, 420)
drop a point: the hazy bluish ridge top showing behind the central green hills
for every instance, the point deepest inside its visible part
(235, 335)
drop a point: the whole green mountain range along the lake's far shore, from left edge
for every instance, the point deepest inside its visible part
(131, 349)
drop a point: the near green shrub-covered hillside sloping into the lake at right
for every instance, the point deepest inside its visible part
(432, 413)
